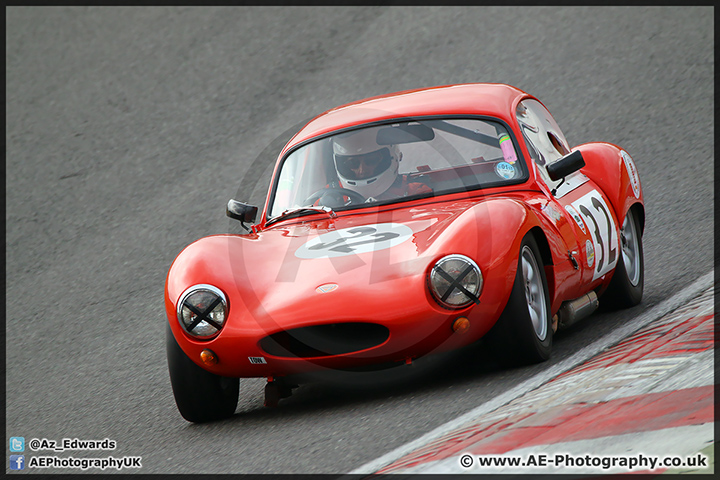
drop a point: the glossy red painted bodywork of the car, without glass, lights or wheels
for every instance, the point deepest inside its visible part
(269, 289)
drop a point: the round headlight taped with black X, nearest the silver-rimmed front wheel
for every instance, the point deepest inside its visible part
(456, 281)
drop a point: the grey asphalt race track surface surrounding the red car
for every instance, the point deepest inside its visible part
(128, 129)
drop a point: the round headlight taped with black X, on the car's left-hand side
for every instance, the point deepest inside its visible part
(202, 310)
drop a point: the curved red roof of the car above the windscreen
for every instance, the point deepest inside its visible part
(491, 99)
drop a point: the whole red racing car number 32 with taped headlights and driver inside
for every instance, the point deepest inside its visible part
(400, 226)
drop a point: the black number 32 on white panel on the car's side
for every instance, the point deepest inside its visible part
(595, 212)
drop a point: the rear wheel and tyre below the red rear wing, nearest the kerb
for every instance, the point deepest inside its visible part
(627, 283)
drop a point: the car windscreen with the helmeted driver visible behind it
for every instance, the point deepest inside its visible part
(398, 161)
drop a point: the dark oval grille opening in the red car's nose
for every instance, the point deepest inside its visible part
(325, 340)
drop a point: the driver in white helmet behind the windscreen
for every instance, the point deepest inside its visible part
(370, 169)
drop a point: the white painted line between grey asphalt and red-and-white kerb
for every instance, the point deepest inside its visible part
(579, 357)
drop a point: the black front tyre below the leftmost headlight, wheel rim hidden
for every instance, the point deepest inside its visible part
(200, 395)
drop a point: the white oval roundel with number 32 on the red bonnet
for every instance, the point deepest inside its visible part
(355, 240)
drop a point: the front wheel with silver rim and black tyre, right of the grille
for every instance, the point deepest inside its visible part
(523, 333)
